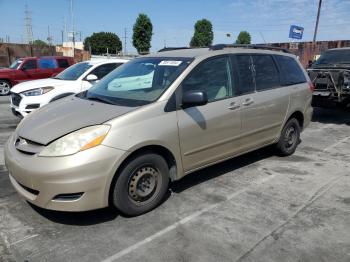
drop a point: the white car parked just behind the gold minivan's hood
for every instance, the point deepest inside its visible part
(31, 95)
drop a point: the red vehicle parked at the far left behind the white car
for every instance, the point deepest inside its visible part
(31, 68)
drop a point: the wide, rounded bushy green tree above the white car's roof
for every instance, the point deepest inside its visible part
(99, 42)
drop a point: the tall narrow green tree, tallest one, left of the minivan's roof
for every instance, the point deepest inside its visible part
(142, 34)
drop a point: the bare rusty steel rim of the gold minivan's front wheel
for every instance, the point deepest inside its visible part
(143, 183)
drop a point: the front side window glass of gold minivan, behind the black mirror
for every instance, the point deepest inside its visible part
(212, 76)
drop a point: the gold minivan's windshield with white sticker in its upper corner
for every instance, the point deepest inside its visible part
(138, 82)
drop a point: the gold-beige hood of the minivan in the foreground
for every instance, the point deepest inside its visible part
(65, 116)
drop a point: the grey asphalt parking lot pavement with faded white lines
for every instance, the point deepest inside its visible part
(257, 207)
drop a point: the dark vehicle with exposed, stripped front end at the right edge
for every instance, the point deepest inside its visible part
(330, 75)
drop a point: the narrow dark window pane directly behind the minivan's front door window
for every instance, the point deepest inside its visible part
(243, 66)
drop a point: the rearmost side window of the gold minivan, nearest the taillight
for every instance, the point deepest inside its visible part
(291, 73)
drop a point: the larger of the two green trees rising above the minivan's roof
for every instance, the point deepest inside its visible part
(203, 34)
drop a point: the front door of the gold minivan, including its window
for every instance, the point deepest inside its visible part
(207, 132)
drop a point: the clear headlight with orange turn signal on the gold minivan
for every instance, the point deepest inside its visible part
(77, 141)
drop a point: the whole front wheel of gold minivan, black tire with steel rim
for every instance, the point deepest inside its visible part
(141, 184)
